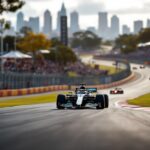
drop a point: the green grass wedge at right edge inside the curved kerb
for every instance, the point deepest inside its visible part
(143, 101)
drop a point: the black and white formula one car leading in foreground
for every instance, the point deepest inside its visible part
(81, 98)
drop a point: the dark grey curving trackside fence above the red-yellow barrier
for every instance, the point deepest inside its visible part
(21, 81)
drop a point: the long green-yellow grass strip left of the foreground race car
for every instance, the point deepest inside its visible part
(48, 98)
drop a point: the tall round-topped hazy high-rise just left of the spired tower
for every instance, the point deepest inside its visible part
(47, 28)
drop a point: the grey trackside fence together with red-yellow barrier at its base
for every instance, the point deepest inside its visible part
(13, 84)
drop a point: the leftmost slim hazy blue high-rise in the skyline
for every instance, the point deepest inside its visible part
(20, 21)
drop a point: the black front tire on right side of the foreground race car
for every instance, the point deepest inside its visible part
(100, 102)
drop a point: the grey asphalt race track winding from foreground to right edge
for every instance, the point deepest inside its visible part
(43, 127)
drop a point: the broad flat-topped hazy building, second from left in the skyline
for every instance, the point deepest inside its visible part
(34, 24)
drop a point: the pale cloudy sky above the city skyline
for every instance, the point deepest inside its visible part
(126, 10)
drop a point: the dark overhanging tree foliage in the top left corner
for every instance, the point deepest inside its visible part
(10, 5)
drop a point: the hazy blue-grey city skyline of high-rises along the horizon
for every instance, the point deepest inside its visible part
(103, 30)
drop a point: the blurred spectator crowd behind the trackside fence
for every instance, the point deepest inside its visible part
(49, 67)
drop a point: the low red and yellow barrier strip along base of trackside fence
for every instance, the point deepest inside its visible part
(27, 91)
